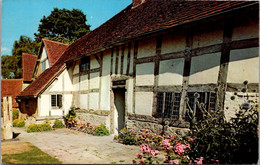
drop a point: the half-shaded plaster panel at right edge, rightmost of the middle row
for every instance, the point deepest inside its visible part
(243, 65)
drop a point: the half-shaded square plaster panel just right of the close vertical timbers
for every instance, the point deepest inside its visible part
(145, 74)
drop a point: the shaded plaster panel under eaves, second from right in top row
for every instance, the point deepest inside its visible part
(207, 37)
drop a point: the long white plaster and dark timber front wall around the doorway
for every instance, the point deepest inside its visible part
(206, 58)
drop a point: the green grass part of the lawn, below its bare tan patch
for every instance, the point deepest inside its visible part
(33, 156)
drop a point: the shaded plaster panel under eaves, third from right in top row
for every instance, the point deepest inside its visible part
(173, 42)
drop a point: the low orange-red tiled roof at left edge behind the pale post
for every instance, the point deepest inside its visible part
(11, 87)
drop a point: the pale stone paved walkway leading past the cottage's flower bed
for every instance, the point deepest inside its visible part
(74, 147)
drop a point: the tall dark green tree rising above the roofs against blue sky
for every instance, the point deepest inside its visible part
(63, 25)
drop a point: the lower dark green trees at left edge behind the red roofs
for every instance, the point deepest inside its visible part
(12, 65)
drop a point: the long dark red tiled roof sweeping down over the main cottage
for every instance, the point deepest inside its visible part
(149, 17)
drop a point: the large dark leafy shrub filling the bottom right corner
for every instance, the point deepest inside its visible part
(233, 142)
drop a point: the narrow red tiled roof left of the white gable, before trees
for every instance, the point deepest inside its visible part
(28, 62)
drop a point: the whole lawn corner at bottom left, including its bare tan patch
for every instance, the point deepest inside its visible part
(25, 153)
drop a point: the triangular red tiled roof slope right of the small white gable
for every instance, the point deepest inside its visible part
(54, 50)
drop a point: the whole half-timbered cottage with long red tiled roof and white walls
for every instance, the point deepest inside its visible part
(138, 68)
